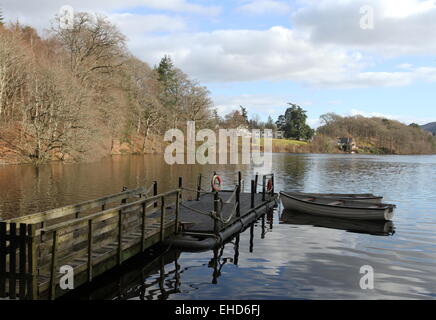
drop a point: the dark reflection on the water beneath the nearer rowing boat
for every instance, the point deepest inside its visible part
(376, 228)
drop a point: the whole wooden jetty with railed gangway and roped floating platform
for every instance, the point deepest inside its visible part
(96, 236)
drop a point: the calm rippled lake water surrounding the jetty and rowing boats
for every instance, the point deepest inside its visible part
(284, 256)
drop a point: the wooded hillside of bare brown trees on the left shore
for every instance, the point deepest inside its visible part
(79, 94)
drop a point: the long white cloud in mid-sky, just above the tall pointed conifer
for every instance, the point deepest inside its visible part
(274, 54)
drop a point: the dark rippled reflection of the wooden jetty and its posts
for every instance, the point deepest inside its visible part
(157, 275)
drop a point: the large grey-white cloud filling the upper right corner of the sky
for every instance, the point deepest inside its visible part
(401, 26)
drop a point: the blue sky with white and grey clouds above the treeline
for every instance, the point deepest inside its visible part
(325, 55)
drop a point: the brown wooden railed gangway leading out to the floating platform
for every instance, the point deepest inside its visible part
(34, 249)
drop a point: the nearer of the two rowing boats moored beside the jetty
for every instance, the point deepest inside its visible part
(357, 211)
